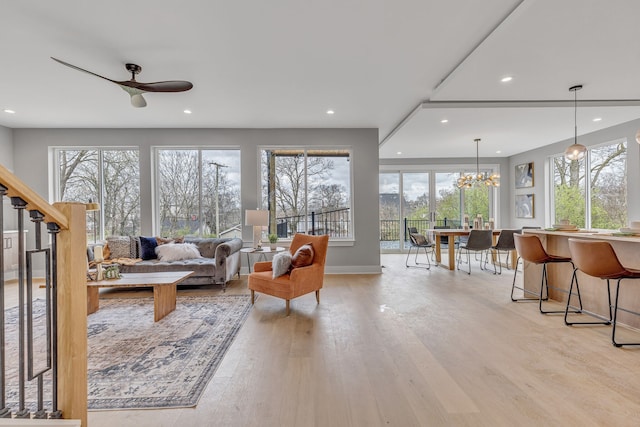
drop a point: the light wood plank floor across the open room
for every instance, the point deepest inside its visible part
(410, 347)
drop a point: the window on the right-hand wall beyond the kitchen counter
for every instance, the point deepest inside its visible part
(597, 199)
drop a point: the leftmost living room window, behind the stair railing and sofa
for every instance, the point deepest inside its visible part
(110, 177)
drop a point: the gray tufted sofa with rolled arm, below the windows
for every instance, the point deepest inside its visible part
(219, 263)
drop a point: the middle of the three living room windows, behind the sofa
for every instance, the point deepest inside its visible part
(198, 192)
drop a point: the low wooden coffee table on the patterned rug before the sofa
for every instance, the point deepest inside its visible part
(164, 289)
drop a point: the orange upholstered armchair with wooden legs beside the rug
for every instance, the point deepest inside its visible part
(299, 281)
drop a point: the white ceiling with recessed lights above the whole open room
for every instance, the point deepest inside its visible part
(400, 66)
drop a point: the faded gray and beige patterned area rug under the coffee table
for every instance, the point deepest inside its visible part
(136, 363)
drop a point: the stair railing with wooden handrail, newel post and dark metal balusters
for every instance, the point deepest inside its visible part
(63, 336)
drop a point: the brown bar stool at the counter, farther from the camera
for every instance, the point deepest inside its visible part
(530, 249)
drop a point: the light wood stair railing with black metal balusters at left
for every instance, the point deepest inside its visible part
(65, 271)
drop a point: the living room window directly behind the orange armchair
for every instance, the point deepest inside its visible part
(307, 191)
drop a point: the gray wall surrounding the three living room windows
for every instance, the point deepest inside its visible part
(31, 161)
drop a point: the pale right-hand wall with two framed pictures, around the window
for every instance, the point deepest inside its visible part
(541, 172)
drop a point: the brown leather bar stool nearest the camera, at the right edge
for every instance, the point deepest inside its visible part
(598, 259)
